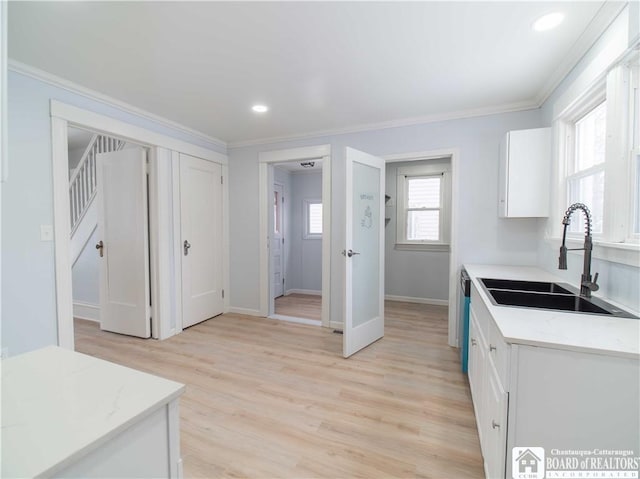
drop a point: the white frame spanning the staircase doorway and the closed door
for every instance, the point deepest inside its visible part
(164, 287)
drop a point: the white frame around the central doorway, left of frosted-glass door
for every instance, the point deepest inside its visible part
(266, 160)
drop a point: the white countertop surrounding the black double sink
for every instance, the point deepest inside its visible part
(556, 329)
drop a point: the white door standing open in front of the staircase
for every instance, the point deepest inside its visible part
(123, 235)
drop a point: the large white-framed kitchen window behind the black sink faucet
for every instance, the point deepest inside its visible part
(601, 156)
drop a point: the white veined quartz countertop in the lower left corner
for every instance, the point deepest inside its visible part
(59, 405)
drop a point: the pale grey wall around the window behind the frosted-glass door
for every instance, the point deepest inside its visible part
(413, 274)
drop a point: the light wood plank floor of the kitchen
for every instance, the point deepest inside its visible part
(272, 399)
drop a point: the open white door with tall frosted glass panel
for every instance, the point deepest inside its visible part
(364, 251)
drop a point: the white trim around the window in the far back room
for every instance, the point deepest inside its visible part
(402, 243)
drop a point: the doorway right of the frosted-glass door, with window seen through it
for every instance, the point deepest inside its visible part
(441, 251)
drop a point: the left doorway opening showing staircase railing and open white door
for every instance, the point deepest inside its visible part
(98, 186)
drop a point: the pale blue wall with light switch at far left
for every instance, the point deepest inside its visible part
(28, 286)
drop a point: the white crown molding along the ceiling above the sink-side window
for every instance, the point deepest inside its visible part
(607, 13)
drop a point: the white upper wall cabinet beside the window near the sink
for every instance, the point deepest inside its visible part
(525, 168)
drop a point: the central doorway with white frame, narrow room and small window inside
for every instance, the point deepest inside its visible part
(295, 266)
